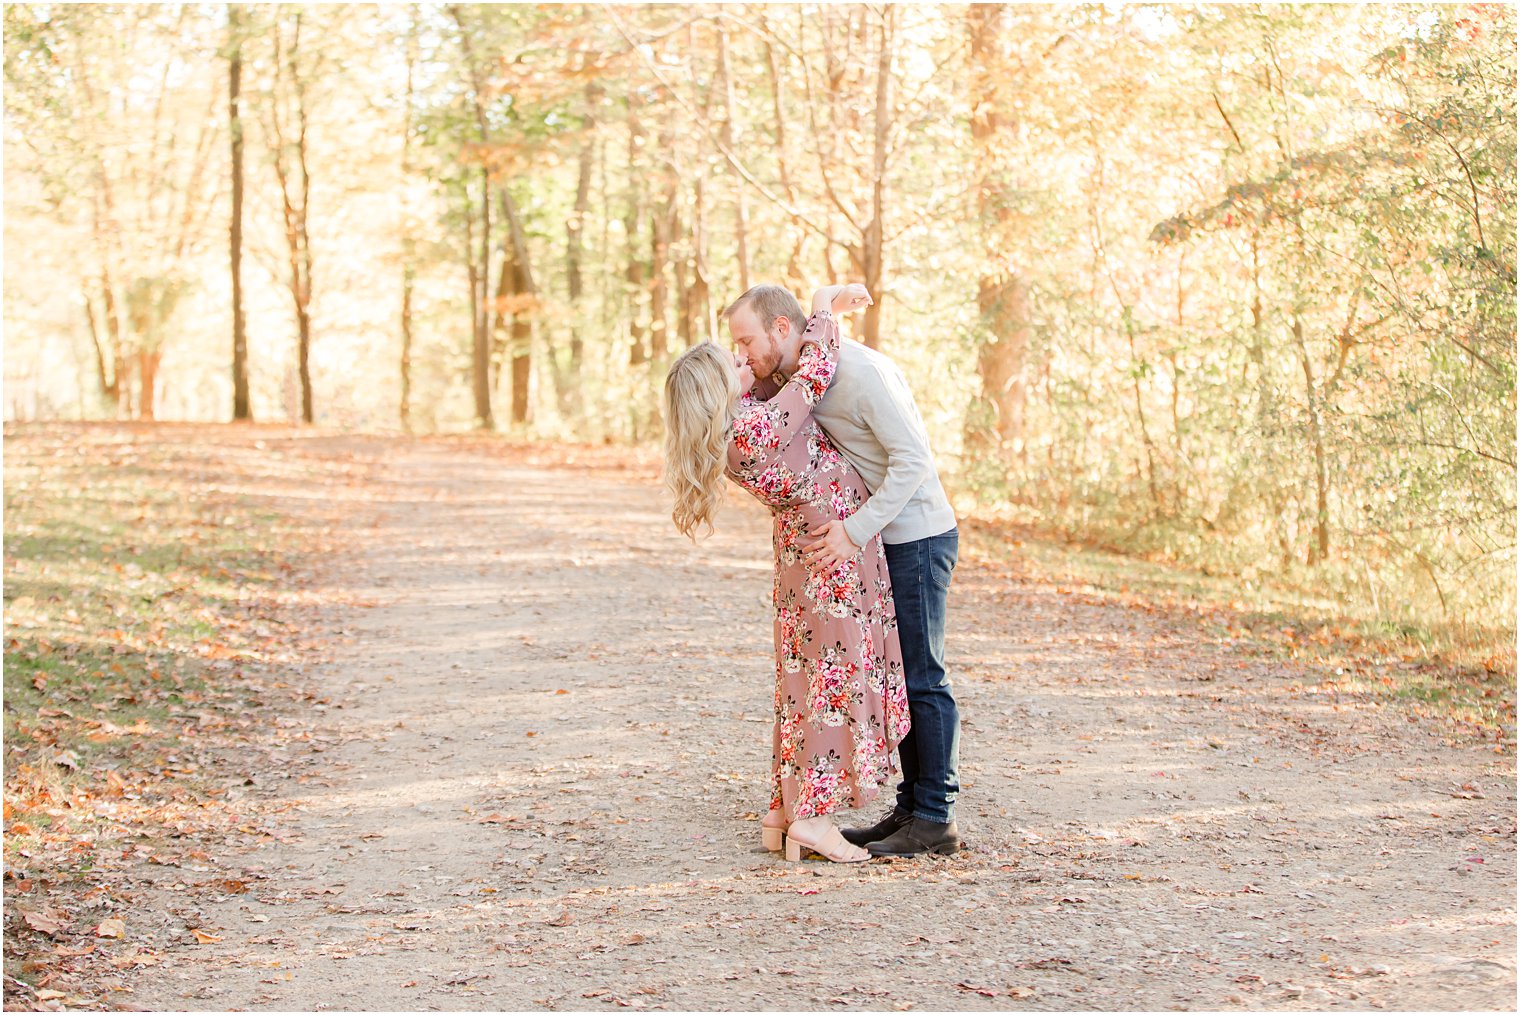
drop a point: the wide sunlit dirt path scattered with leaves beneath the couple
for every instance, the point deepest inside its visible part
(534, 783)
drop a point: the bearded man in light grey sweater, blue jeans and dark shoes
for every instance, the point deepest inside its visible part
(870, 414)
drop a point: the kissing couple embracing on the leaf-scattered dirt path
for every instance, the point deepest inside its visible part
(826, 434)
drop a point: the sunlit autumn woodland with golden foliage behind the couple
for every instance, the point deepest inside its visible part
(1226, 286)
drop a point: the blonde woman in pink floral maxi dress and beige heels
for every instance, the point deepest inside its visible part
(841, 706)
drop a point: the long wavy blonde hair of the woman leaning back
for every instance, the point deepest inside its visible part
(700, 397)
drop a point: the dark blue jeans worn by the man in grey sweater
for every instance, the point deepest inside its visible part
(933, 750)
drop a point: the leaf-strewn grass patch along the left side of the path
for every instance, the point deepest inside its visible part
(141, 615)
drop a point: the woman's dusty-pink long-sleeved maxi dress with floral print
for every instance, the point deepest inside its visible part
(841, 706)
